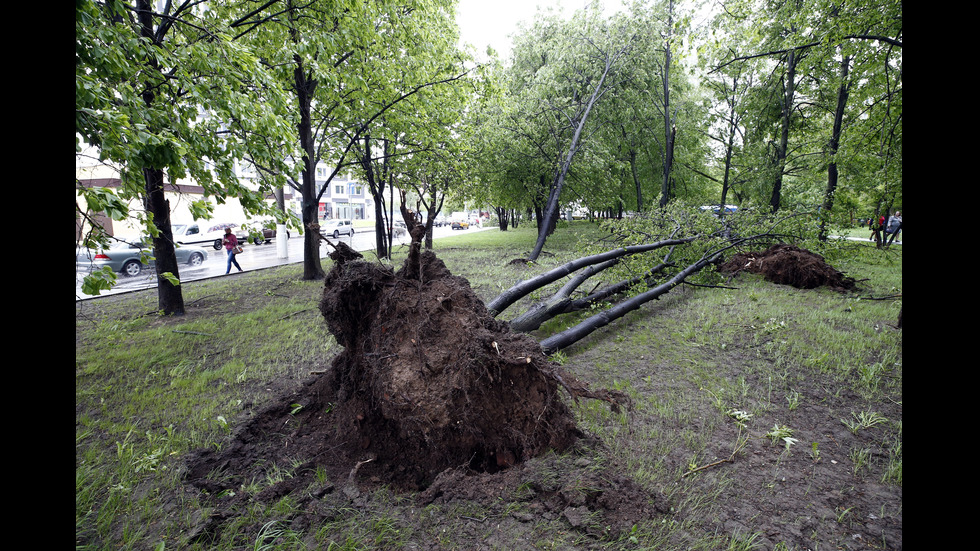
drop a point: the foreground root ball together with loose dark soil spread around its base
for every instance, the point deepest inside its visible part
(430, 395)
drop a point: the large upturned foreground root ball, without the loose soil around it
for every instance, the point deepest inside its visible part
(428, 380)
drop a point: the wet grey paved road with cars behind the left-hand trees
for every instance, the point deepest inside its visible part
(252, 258)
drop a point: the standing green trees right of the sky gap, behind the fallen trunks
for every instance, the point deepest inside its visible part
(771, 103)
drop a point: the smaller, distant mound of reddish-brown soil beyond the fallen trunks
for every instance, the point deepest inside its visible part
(789, 265)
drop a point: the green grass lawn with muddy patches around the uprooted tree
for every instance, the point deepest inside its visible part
(150, 390)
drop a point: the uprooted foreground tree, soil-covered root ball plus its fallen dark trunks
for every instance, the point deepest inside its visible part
(428, 378)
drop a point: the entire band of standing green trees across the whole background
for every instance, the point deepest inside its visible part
(768, 102)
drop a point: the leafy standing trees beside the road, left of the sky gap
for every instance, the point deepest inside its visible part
(167, 90)
